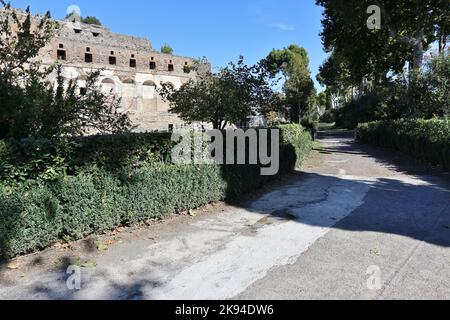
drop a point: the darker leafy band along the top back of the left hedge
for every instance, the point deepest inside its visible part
(41, 160)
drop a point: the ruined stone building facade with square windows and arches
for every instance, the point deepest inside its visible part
(130, 68)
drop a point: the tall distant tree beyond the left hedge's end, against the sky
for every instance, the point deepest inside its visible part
(293, 63)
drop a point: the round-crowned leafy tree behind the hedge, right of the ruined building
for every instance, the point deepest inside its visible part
(227, 97)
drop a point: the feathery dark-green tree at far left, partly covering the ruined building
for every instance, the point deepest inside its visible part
(30, 104)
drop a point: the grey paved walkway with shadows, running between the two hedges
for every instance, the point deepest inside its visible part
(362, 224)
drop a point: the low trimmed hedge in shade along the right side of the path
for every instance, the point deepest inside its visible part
(425, 140)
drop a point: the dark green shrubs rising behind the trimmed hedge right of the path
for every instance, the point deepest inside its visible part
(423, 95)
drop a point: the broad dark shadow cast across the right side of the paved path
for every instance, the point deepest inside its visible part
(416, 205)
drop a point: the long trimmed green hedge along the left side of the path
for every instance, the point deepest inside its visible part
(91, 193)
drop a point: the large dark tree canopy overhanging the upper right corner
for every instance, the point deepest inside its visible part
(407, 30)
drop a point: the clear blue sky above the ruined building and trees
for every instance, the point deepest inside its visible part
(221, 30)
